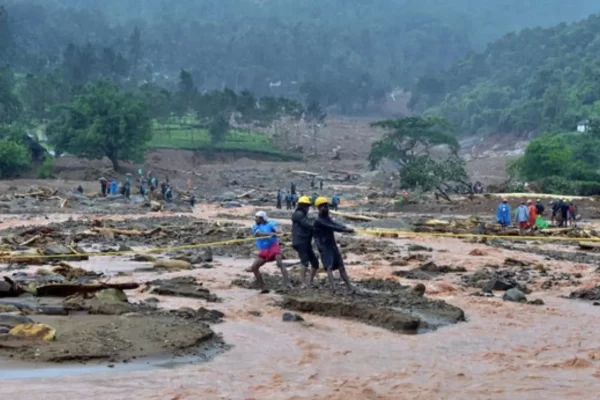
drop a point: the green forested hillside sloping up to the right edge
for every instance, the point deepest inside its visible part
(535, 80)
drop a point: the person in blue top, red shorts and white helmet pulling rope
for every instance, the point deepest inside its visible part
(268, 249)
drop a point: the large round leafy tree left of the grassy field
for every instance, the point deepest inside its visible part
(103, 122)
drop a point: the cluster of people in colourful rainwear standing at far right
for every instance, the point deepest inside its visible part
(529, 215)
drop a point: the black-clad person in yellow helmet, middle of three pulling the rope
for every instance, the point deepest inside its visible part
(302, 233)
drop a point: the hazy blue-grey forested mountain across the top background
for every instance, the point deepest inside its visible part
(346, 53)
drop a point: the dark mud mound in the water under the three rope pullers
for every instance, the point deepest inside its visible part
(391, 306)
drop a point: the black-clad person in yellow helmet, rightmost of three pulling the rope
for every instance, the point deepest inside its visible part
(323, 230)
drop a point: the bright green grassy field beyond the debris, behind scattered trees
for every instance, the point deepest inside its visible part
(183, 135)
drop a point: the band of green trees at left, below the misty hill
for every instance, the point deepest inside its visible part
(95, 118)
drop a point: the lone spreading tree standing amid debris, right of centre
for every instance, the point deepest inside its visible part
(409, 142)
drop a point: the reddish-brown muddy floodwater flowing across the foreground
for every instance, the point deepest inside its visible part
(503, 350)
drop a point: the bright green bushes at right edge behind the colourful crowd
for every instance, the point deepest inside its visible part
(566, 163)
